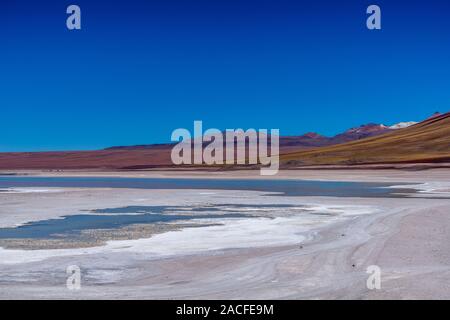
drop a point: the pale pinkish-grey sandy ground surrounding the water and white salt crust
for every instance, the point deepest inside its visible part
(407, 238)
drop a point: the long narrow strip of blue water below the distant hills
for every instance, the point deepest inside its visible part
(286, 187)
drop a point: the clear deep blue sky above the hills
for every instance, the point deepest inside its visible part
(140, 69)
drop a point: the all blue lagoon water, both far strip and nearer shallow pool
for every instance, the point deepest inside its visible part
(114, 218)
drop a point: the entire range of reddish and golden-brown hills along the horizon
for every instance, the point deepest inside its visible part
(405, 142)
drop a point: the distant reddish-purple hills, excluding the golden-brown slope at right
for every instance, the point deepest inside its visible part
(140, 156)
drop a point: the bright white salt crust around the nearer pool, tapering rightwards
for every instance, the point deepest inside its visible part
(256, 225)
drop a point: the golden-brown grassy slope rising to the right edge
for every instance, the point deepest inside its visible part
(428, 141)
